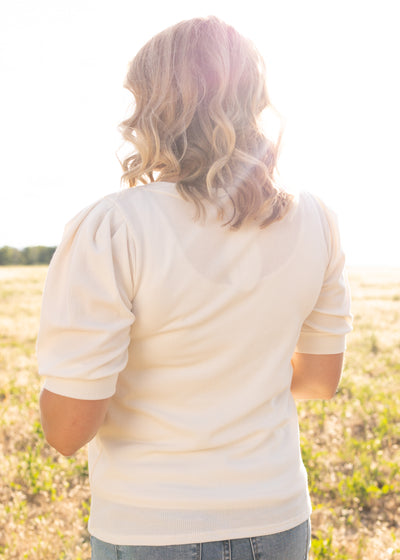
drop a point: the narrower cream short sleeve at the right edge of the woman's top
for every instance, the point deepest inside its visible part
(324, 331)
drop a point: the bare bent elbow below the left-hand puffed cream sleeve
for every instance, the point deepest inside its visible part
(69, 424)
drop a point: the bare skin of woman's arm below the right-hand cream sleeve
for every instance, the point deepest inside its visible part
(316, 376)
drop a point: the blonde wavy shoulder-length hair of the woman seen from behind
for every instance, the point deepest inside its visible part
(200, 90)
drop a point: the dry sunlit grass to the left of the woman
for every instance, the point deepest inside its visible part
(43, 496)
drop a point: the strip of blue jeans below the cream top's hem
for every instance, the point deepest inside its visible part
(293, 544)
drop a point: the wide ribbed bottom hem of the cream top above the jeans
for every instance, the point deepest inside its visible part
(127, 525)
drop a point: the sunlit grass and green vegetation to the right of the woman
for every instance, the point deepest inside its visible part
(351, 444)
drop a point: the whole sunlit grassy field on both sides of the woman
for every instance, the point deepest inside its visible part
(351, 444)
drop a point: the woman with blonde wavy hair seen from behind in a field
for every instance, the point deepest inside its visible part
(181, 317)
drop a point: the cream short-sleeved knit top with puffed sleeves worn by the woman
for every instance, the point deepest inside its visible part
(190, 327)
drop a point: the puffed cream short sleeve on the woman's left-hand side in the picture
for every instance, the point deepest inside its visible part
(86, 315)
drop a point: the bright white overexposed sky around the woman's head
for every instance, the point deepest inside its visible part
(332, 73)
